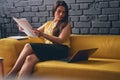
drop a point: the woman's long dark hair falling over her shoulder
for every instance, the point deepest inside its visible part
(61, 24)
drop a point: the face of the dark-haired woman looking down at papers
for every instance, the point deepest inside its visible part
(59, 13)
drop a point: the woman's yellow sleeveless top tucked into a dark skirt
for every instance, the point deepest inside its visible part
(48, 29)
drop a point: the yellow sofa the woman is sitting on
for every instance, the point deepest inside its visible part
(104, 64)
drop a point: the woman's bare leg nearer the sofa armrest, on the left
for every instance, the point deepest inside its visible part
(27, 50)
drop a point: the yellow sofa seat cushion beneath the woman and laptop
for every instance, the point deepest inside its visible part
(94, 69)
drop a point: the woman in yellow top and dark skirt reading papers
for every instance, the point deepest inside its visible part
(56, 34)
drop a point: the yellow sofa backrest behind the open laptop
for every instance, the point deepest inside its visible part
(108, 45)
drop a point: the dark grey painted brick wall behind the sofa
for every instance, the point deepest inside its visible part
(86, 16)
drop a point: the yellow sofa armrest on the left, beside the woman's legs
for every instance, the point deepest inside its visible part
(10, 49)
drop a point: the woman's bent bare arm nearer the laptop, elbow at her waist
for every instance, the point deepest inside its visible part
(61, 38)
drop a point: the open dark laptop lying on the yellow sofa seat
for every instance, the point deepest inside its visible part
(81, 55)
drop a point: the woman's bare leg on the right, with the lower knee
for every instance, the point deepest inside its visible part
(28, 66)
